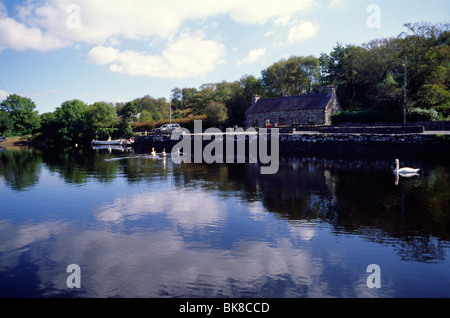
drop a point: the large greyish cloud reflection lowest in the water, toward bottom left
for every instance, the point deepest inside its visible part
(166, 265)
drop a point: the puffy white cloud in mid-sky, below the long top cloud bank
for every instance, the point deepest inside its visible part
(188, 56)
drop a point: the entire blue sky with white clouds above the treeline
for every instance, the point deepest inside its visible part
(118, 50)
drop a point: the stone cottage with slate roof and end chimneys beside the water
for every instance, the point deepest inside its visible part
(311, 109)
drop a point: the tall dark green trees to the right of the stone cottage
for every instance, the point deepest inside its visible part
(371, 76)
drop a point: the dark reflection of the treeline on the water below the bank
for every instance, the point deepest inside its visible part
(358, 196)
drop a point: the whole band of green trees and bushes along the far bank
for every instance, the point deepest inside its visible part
(369, 80)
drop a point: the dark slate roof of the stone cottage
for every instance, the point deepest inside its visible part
(292, 103)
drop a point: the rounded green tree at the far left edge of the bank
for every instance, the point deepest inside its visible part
(22, 112)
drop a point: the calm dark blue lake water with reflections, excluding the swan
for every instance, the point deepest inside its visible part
(145, 227)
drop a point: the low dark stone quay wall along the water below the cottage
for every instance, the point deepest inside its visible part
(347, 144)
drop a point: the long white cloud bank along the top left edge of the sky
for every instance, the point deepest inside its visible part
(47, 24)
